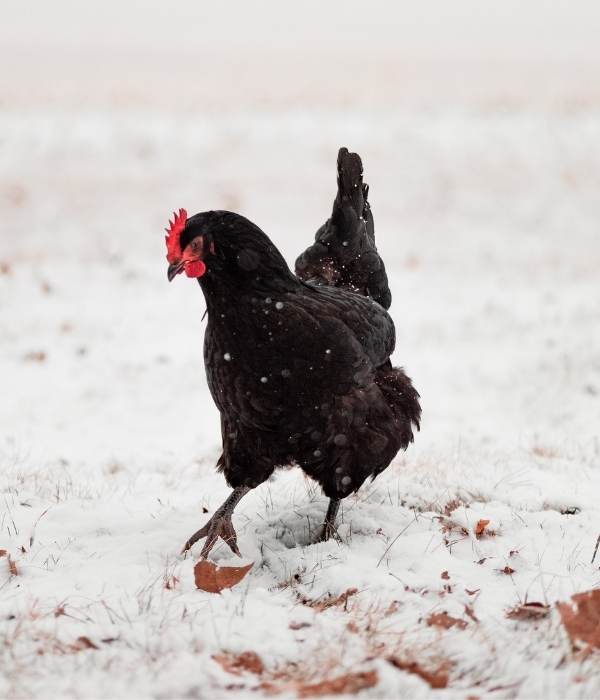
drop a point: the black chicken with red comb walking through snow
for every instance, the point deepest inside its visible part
(298, 366)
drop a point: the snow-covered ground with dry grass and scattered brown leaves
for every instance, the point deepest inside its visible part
(487, 215)
